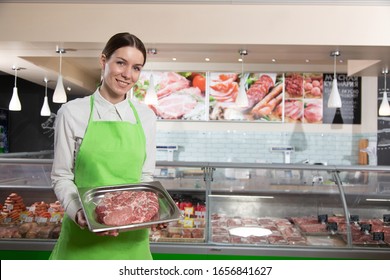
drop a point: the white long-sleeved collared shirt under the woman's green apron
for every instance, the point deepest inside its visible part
(70, 126)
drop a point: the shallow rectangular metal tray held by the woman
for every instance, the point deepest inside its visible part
(89, 198)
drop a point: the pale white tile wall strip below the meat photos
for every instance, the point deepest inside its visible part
(250, 146)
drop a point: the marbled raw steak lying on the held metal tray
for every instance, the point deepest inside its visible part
(127, 207)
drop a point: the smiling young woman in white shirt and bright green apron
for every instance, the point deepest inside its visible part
(101, 140)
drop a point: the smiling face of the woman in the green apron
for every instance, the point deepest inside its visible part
(120, 72)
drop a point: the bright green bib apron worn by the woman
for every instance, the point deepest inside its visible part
(112, 153)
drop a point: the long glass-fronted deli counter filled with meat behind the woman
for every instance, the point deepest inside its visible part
(229, 210)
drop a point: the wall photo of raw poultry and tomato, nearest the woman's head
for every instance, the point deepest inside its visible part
(180, 95)
